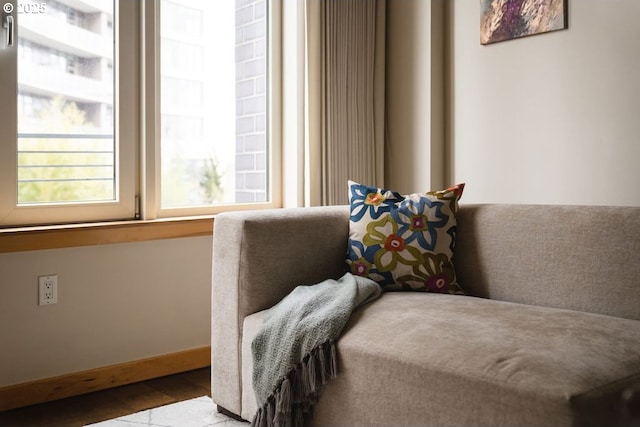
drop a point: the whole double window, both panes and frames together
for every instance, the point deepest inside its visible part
(105, 115)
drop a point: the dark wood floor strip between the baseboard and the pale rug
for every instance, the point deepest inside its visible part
(112, 403)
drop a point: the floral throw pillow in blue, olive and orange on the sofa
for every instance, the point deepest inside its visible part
(404, 242)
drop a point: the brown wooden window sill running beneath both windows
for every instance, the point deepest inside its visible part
(66, 236)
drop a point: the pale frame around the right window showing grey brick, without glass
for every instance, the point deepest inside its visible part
(151, 139)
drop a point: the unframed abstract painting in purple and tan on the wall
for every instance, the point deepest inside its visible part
(502, 20)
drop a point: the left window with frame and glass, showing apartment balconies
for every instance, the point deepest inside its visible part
(63, 157)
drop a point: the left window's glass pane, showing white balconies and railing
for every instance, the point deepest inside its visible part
(66, 145)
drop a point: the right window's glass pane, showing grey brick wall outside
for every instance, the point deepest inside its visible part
(214, 102)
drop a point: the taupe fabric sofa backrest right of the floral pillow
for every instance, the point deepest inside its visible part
(575, 257)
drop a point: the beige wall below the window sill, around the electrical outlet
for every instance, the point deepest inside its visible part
(116, 303)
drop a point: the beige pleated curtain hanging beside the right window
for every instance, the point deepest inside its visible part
(344, 97)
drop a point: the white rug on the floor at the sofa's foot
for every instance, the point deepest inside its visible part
(198, 412)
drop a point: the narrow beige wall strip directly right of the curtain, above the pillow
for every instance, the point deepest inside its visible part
(415, 105)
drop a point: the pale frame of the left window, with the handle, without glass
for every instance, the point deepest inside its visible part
(126, 134)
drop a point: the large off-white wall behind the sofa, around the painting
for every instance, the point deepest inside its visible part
(553, 118)
